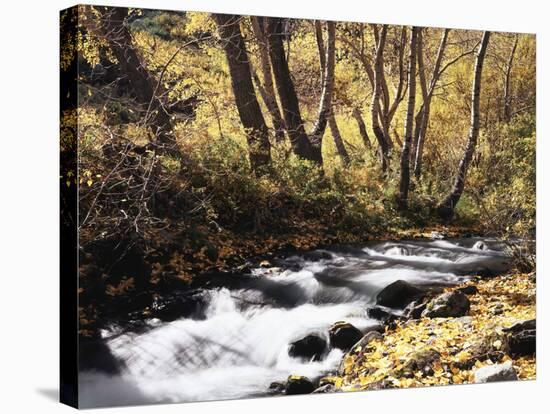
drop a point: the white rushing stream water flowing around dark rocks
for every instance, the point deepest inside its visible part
(239, 344)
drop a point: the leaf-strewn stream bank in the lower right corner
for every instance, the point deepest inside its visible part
(441, 351)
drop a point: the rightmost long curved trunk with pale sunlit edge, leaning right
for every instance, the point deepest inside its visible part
(447, 206)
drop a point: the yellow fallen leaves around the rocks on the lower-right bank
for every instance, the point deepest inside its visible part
(386, 359)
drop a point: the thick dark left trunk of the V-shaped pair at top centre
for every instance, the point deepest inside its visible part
(299, 140)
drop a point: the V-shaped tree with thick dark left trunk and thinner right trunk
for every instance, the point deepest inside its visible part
(304, 145)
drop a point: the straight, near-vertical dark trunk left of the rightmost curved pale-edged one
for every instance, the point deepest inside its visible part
(405, 177)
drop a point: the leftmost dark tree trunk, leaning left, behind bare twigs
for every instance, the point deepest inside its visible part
(146, 90)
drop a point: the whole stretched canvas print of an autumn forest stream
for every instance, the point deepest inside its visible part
(264, 206)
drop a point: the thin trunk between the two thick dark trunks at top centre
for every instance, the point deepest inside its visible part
(268, 94)
